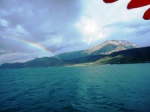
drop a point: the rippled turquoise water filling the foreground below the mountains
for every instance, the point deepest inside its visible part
(108, 88)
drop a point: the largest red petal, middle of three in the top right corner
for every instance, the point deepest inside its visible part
(138, 3)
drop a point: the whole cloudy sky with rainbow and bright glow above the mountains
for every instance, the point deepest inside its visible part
(43, 28)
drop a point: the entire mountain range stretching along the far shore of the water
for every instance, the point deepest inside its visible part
(109, 52)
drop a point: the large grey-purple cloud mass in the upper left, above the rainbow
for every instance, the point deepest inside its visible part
(40, 20)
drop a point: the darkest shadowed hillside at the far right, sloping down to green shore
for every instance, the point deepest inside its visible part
(136, 55)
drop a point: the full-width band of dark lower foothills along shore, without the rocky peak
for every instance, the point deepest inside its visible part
(136, 55)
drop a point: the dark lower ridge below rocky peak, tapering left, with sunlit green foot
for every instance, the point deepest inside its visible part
(136, 55)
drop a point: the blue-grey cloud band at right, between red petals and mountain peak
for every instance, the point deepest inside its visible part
(136, 31)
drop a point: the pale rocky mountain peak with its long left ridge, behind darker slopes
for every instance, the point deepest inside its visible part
(107, 47)
